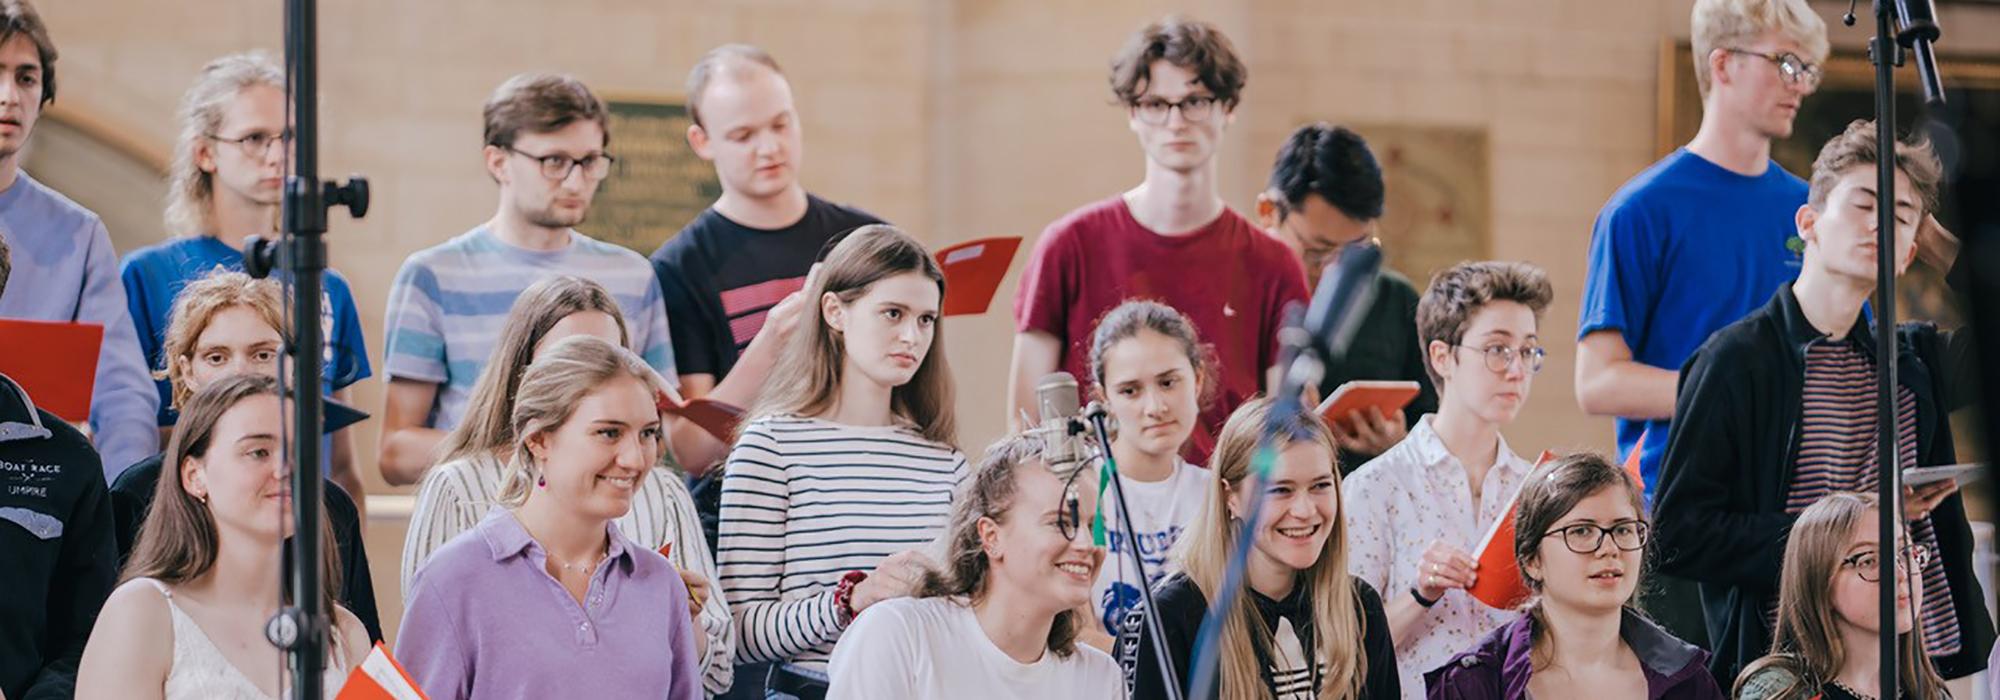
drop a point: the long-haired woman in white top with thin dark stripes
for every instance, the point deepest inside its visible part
(847, 469)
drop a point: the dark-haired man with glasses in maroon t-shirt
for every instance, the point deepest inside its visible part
(1171, 239)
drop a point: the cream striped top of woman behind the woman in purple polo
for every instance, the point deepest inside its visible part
(457, 497)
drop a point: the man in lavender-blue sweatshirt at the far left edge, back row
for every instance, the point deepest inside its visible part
(65, 267)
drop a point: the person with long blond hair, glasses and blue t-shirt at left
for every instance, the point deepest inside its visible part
(225, 187)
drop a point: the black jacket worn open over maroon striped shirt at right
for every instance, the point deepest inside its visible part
(1729, 467)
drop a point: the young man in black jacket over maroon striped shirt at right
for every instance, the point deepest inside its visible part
(1779, 409)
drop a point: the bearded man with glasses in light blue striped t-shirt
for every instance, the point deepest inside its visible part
(547, 139)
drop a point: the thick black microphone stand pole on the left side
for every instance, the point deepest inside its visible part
(303, 627)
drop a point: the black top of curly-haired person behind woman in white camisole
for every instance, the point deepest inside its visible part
(133, 497)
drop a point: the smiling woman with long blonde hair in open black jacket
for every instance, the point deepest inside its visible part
(1305, 627)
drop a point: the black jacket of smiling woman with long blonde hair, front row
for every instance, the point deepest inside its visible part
(1183, 607)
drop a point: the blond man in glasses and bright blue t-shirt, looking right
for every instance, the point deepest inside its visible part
(1699, 239)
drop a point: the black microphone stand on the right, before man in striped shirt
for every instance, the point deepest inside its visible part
(1885, 51)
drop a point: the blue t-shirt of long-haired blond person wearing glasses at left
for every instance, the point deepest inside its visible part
(155, 275)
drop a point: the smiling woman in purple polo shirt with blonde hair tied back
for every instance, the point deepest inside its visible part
(547, 599)
